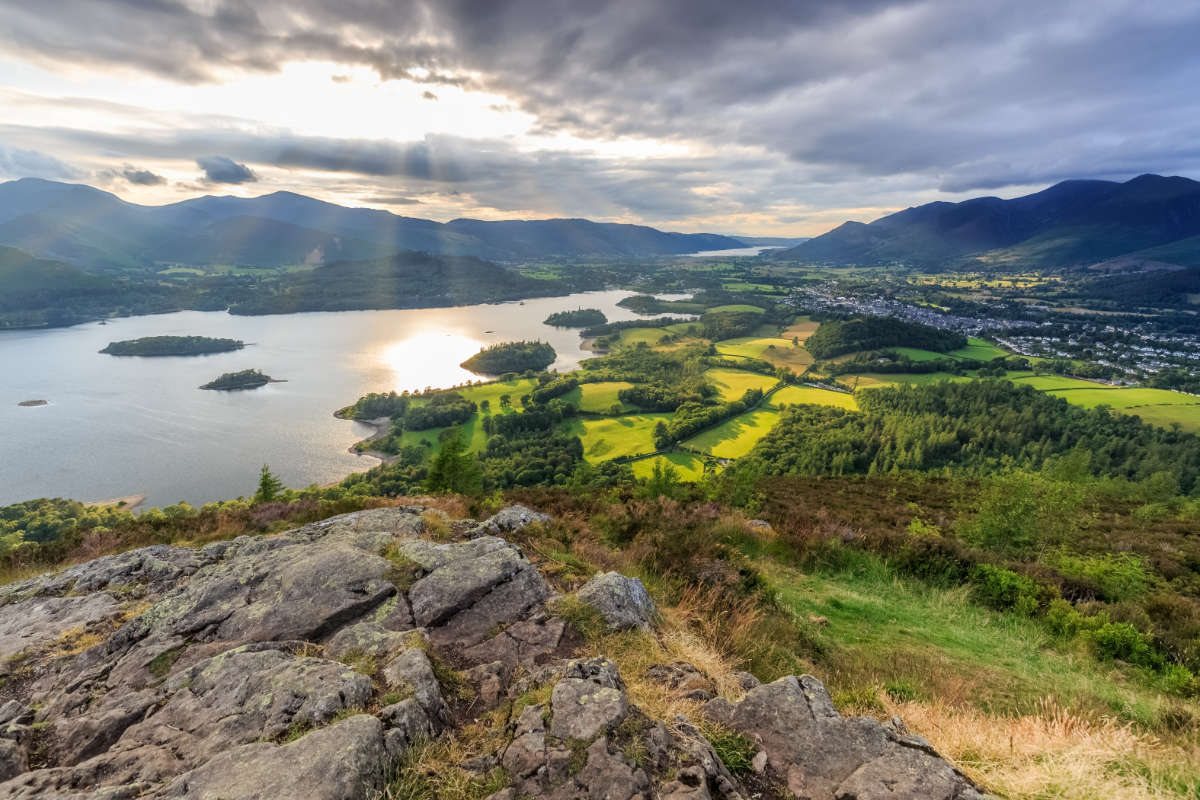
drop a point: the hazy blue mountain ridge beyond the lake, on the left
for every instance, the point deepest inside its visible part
(98, 231)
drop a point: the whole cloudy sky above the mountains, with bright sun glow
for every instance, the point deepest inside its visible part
(758, 117)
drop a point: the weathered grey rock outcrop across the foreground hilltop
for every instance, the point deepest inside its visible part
(304, 665)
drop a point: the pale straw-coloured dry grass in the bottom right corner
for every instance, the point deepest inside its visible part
(1054, 754)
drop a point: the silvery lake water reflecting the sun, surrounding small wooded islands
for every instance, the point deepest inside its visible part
(121, 426)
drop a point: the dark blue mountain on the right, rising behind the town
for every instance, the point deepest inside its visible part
(1077, 222)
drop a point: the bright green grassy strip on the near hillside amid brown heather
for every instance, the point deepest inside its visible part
(887, 630)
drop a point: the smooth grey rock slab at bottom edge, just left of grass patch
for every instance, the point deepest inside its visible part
(337, 763)
